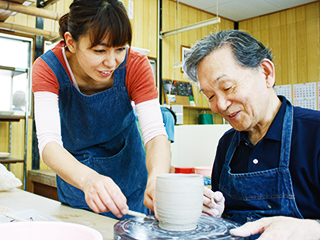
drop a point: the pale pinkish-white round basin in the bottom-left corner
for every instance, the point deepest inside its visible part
(47, 230)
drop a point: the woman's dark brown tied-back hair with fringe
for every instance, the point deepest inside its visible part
(99, 19)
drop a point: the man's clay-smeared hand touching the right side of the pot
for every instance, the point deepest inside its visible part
(213, 203)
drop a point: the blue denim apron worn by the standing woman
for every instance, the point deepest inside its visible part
(100, 131)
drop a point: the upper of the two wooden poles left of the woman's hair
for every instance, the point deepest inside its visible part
(14, 7)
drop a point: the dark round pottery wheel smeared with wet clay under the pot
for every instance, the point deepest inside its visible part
(148, 228)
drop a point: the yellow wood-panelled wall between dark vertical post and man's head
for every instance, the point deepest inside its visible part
(175, 17)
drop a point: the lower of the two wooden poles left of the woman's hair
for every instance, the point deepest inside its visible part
(25, 29)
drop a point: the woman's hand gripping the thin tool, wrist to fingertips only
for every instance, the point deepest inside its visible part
(103, 195)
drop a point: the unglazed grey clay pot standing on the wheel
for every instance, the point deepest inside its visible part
(179, 199)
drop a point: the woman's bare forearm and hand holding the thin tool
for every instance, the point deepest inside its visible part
(101, 193)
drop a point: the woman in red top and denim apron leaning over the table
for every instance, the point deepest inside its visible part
(86, 128)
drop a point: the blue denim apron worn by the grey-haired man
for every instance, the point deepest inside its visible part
(251, 196)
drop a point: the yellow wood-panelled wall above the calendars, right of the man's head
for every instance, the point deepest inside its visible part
(294, 37)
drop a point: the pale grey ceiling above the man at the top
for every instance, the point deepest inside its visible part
(237, 10)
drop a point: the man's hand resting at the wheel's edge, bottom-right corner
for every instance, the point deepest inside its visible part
(280, 228)
